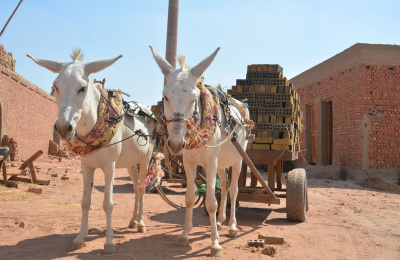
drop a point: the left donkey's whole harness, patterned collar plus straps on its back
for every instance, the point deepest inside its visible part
(111, 109)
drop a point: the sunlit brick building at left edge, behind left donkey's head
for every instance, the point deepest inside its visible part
(27, 113)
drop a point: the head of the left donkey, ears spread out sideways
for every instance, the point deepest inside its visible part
(74, 90)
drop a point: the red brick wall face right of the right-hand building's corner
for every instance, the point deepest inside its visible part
(380, 107)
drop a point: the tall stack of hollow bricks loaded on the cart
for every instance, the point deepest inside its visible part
(273, 106)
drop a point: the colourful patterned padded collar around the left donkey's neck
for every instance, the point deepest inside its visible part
(109, 111)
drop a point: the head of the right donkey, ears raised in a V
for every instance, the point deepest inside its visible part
(180, 94)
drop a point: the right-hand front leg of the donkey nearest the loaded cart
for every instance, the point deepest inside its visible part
(211, 203)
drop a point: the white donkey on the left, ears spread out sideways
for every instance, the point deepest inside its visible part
(78, 104)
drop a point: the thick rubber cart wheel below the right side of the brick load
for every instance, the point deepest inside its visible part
(296, 195)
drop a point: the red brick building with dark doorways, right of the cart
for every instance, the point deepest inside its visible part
(351, 108)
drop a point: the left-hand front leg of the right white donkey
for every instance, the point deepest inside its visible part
(190, 199)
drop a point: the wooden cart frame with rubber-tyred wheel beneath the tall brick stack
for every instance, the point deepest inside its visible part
(271, 192)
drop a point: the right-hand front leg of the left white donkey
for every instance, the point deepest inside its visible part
(108, 206)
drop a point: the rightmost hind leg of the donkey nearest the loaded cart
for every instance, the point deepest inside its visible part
(233, 191)
